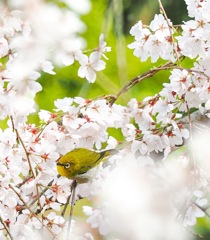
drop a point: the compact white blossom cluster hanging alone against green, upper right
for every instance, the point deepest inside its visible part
(154, 41)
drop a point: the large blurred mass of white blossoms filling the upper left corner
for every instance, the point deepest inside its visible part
(24, 52)
